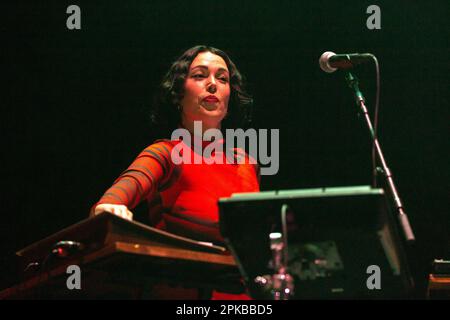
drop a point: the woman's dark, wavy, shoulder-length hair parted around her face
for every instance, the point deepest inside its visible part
(165, 114)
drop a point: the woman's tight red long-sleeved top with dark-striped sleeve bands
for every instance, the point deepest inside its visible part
(182, 198)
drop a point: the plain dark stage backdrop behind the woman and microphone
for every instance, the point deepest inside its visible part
(75, 102)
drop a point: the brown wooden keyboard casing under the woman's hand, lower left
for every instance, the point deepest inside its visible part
(123, 267)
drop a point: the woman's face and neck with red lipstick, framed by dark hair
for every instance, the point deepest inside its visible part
(206, 91)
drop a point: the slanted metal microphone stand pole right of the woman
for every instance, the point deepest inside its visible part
(402, 217)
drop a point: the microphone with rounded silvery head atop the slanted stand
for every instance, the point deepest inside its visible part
(330, 61)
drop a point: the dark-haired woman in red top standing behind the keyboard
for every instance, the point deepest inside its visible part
(203, 84)
